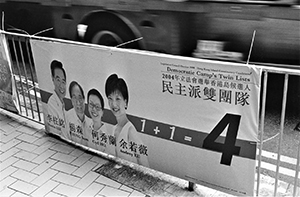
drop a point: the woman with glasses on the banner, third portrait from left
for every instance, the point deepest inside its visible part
(98, 133)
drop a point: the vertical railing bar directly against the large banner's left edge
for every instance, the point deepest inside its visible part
(32, 68)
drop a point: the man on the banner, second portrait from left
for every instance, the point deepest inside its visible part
(77, 121)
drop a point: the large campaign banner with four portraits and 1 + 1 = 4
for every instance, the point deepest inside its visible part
(191, 118)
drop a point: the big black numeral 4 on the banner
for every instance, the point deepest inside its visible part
(228, 148)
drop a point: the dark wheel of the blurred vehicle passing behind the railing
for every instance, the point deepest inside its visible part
(111, 30)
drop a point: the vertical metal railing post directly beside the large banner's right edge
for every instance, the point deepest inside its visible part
(261, 128)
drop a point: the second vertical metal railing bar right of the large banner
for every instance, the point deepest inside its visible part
(283, 108)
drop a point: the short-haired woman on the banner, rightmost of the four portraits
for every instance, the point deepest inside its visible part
(126, 140)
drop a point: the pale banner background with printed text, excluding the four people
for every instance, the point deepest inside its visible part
(175, 102)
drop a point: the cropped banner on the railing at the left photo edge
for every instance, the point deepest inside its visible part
(7, 89)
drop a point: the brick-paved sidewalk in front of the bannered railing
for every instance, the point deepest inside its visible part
(33, 163)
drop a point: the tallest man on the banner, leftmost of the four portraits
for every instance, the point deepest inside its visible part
(55, 110)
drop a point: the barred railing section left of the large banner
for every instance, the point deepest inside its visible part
(25, 78)
